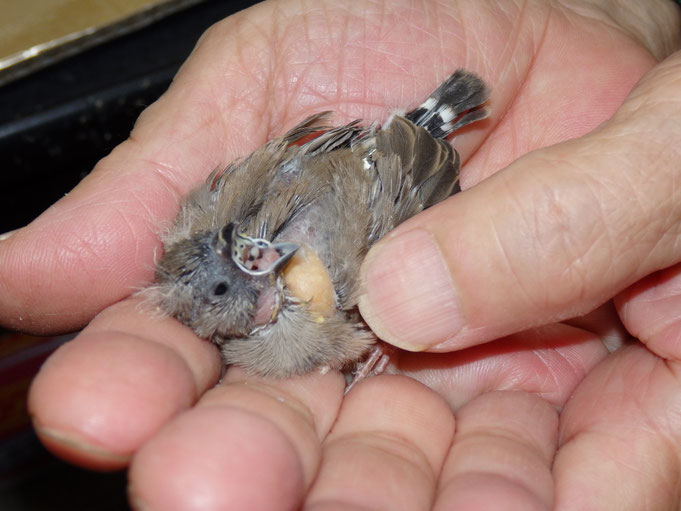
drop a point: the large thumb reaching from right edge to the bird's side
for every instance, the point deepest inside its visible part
(552, 236)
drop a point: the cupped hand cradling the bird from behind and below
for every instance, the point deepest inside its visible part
(247, 443)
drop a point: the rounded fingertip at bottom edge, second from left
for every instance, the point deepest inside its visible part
(217, 457)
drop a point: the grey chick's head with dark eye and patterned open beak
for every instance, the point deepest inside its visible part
(213, 281)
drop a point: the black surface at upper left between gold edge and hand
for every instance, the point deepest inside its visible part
(58, 122)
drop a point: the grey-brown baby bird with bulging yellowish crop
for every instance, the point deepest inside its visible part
(263, 258)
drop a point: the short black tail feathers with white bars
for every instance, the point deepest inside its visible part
(455, 103)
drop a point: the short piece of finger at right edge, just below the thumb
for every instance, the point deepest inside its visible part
(651, 311)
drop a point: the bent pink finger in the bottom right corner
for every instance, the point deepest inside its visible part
(620, 437)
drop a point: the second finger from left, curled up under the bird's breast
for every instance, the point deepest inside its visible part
(249, 444)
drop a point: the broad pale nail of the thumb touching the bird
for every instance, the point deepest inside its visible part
(409, 299)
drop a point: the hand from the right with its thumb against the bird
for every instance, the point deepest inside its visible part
(559, 232)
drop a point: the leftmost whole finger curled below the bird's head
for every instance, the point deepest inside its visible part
(102, 395)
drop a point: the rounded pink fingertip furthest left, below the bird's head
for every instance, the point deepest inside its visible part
(102, 395)
